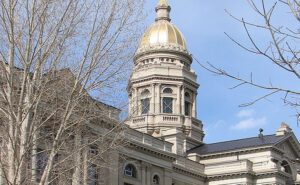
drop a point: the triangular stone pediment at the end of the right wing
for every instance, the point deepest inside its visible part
(290, 146)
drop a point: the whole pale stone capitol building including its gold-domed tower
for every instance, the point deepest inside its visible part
(164, 138)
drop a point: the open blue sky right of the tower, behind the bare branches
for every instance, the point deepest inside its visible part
(203, 24)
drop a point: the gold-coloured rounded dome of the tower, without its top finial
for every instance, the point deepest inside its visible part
(163, 33)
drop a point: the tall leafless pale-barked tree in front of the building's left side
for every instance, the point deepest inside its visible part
(53, 55)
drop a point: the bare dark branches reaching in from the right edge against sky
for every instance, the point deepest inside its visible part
(282, 50)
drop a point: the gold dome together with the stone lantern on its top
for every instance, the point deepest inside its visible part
(162, 35)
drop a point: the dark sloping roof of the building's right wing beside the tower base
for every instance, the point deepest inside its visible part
(267, 140)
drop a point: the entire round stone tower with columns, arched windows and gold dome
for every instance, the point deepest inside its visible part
(162, 89)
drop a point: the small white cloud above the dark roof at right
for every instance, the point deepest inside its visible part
(250, 123)
